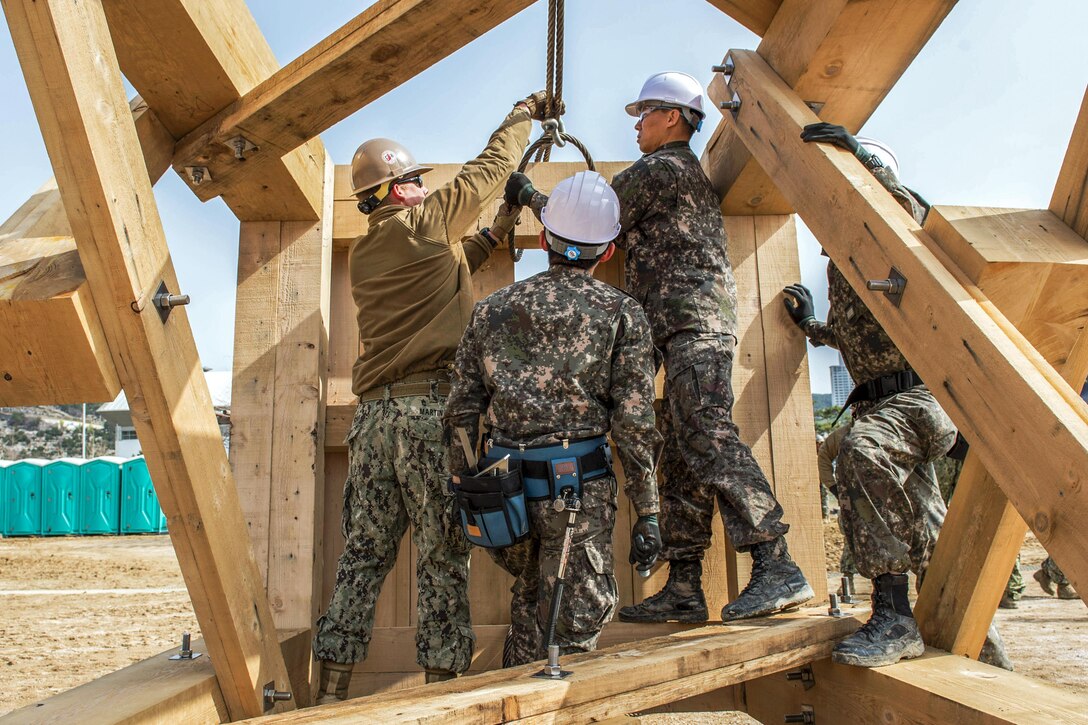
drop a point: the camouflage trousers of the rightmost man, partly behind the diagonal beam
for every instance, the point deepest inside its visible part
(889, 498)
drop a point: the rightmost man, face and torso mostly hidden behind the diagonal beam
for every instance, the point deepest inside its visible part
(889, 499)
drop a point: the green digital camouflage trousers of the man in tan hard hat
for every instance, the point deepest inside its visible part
(398, 476)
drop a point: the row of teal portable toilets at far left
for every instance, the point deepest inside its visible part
(76, 497)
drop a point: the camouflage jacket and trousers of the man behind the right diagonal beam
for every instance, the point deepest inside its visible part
(893, 518)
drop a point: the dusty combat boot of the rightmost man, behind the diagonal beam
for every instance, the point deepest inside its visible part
(891, 635)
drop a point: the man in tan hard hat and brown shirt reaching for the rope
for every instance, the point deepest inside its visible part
(411, 279)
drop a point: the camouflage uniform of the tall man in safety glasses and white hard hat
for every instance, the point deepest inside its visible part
(678, 269)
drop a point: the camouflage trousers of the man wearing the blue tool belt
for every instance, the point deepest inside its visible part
(590, 595)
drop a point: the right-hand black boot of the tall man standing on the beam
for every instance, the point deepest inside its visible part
(777, 584)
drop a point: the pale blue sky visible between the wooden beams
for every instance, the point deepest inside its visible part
(983, 117)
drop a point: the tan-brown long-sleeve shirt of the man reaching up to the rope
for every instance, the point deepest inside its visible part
(412, 275)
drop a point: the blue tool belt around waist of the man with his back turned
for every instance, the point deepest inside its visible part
(549, 470)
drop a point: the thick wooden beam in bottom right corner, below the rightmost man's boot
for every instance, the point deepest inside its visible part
(935, 690)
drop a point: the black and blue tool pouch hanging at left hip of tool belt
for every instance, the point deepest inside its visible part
(492, 509)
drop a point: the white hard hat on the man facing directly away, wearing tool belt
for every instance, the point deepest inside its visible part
(582, 217)
